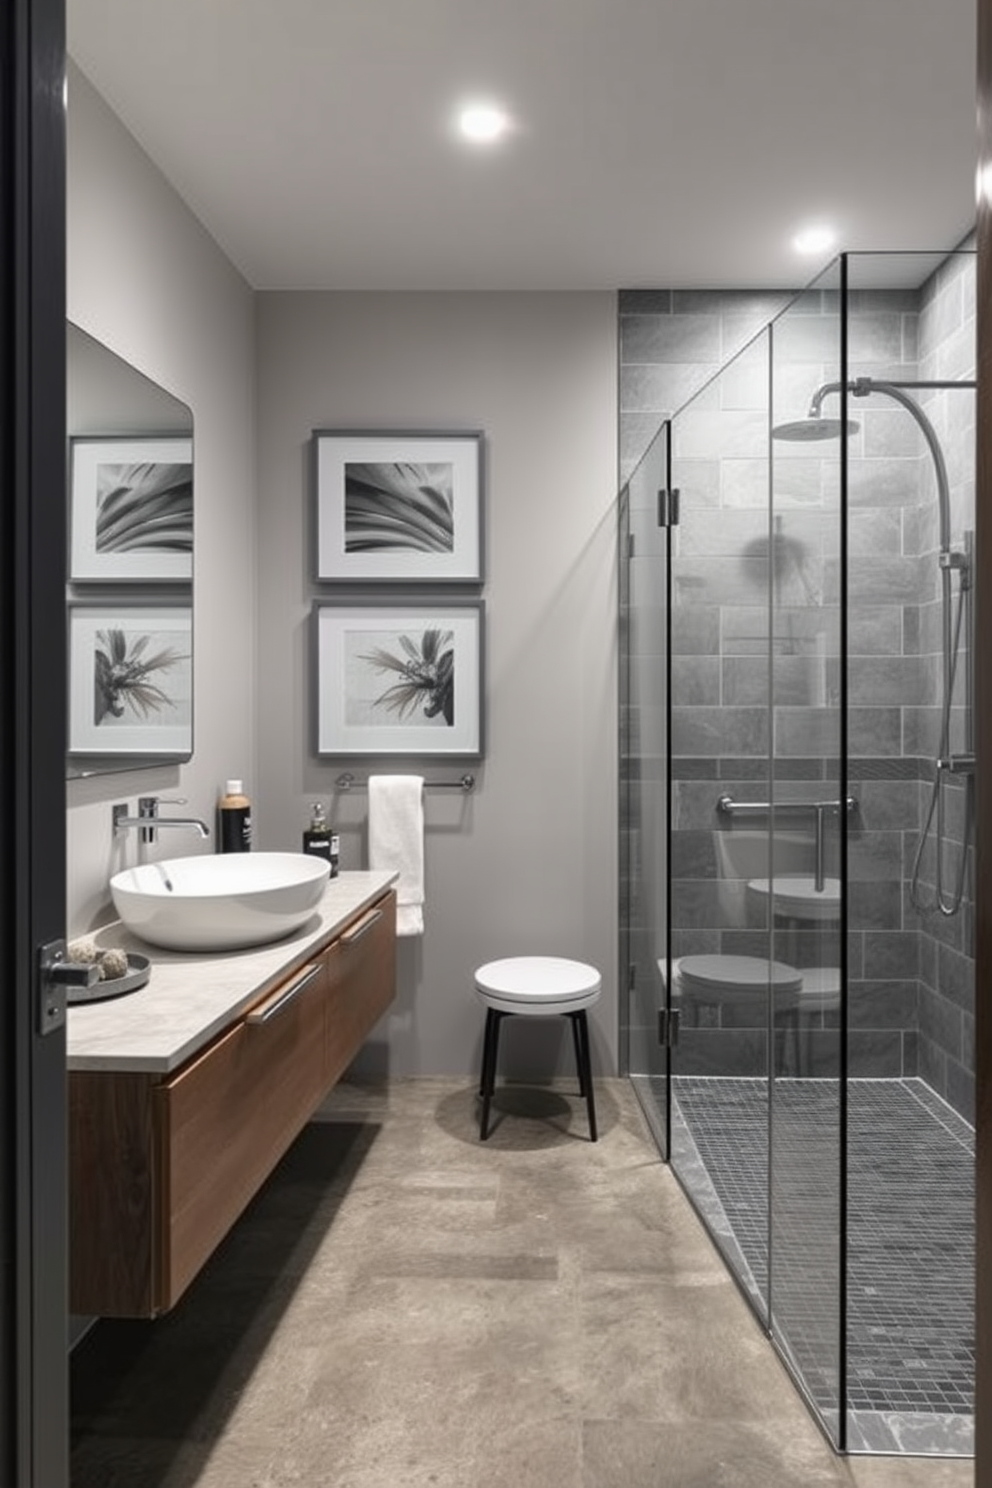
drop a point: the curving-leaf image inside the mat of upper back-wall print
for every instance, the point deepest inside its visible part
(399, 507)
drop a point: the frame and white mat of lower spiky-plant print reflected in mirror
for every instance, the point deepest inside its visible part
(172, 626)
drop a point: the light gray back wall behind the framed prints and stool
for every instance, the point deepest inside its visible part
(529, 862)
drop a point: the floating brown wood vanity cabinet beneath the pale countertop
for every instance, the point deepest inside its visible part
(161, 1167)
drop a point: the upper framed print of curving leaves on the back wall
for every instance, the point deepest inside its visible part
(401, 508)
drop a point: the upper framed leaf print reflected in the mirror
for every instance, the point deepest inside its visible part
(132, 510)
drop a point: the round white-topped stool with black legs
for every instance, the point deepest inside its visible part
(538, 986)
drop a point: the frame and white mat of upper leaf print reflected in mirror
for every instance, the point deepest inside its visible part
(87, 459)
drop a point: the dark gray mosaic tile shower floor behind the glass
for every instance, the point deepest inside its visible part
(911, 1242)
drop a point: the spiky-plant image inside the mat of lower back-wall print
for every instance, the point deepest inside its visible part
(399, 678)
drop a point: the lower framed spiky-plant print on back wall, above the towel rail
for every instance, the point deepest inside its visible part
(404, 678)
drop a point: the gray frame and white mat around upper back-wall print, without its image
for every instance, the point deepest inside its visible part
(338, 452)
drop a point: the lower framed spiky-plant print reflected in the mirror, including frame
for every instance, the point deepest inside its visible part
(132, 672)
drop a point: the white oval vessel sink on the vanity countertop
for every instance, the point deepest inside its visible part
(219, 902)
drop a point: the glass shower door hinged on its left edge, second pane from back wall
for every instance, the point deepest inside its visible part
(721, 742)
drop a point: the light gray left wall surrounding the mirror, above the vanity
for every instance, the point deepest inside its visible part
(148, 280)
